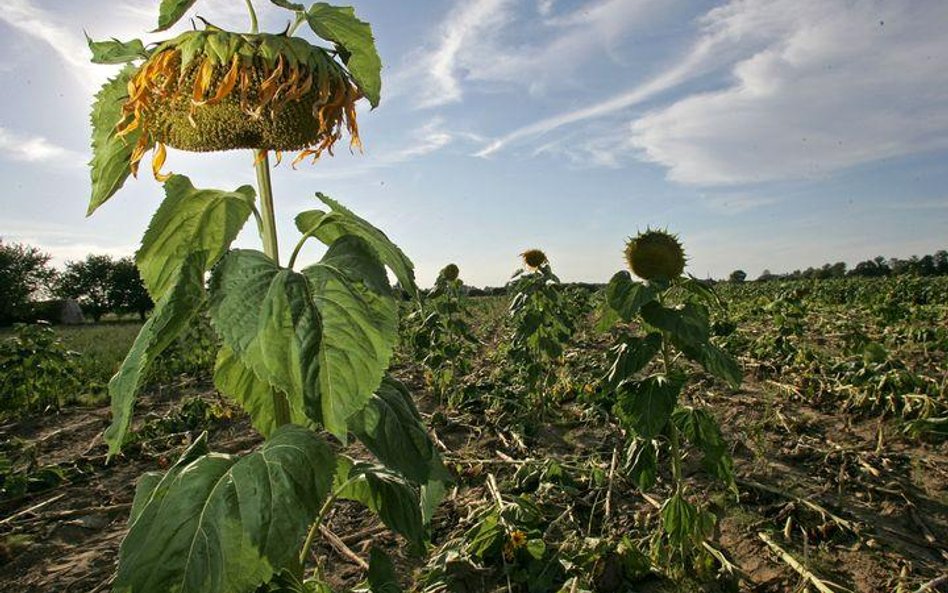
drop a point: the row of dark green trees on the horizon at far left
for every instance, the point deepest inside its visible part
(99, 283)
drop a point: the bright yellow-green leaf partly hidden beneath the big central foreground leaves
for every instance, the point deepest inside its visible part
(235, 379)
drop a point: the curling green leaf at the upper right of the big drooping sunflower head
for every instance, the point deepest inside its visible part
(354, 39)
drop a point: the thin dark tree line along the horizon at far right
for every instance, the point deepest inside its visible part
(935, 264)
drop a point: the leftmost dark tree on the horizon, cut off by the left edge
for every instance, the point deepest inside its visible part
(24, 274)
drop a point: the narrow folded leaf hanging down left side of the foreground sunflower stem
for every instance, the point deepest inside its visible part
(172, 315)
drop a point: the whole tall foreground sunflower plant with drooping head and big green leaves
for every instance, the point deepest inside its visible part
(303, 352)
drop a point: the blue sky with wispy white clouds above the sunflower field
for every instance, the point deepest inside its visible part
(775, 134)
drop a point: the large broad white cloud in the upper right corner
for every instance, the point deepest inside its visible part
(827, 85)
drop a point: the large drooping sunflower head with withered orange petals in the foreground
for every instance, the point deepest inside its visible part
(216, 90)
